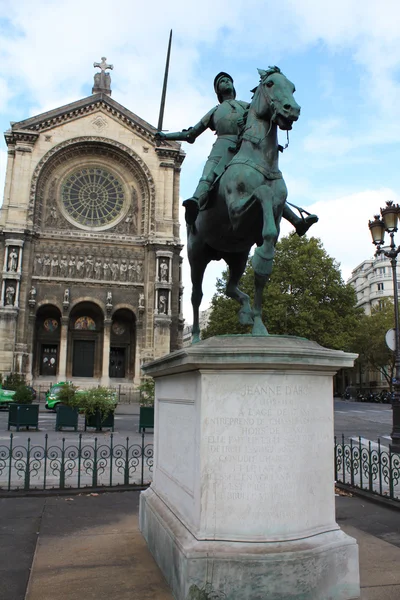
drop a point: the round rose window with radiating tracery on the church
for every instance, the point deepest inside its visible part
(93, 196)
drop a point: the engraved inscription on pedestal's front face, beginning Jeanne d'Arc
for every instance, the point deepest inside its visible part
(257, 444)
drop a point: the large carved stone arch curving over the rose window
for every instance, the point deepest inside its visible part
(96, 145)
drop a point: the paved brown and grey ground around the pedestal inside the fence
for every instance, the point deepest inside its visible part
(89, 547)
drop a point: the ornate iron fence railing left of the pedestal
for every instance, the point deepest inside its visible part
(57, 465)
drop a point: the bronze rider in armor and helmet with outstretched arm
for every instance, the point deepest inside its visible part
(225, 119)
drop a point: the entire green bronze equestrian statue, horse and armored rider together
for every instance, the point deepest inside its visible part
(241, 196)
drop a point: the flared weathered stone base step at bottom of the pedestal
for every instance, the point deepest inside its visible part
(321, 567)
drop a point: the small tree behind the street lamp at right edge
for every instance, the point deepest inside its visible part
(369, 341)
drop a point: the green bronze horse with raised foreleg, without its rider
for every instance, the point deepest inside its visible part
(246, 203)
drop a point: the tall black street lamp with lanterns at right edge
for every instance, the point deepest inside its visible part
(388, 222)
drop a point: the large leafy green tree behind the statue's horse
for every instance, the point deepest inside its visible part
(306, 297)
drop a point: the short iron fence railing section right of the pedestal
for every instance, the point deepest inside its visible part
(368, 466)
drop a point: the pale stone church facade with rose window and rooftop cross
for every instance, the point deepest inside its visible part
(89, 239)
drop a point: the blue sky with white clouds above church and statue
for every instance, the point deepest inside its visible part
(343, 159)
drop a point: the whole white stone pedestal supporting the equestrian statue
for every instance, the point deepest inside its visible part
(243, 490)
